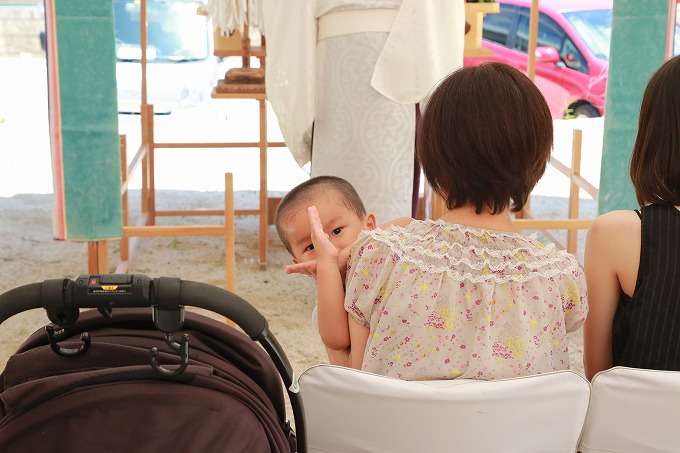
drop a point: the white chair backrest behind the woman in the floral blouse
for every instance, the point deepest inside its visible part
(353, 411)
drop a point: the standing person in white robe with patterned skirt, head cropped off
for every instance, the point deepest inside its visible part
(344, 78)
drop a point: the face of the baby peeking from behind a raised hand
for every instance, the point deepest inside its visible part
(341, 224)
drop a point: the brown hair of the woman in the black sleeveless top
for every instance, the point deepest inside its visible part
(655, 161)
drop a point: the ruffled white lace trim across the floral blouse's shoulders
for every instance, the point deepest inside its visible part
(471, 253)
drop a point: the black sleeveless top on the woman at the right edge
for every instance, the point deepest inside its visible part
(646, 330)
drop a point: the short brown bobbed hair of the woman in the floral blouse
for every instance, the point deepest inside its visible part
(485, 138)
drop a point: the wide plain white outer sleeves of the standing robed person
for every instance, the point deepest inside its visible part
(425, 44)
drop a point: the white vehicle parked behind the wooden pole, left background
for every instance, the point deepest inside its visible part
(181, 69)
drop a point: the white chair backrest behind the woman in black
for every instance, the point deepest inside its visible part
(633, 410)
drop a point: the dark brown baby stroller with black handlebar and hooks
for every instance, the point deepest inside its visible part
(138, 373)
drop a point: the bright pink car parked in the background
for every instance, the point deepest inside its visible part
(572, 50)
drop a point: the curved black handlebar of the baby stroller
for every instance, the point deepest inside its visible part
(63, 299)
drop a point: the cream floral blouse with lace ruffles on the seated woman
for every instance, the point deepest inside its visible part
(447, 301)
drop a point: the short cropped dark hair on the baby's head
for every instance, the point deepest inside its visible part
(332, 187)
